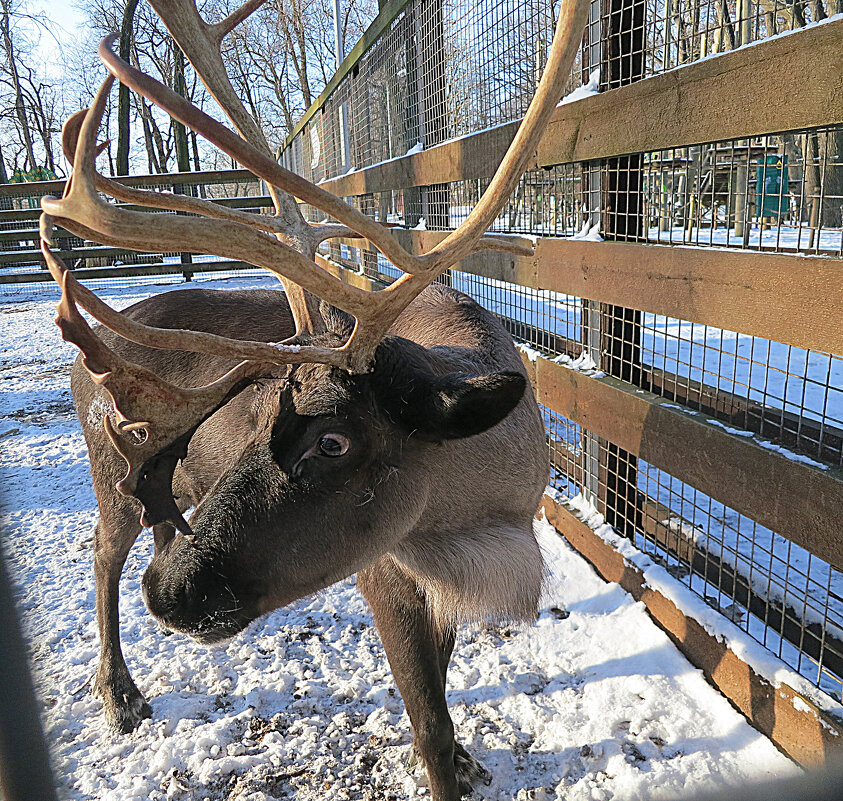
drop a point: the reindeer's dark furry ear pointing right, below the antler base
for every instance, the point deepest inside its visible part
(458, 405)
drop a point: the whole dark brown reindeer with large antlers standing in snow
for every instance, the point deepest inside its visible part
(319, 432)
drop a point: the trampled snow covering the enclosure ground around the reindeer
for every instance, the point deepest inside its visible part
(591, 702)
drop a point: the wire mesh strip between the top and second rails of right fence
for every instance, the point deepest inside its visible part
(781, 193)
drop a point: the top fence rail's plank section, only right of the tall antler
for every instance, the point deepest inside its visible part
(731, 96)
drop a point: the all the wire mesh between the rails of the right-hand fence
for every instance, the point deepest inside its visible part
(777, 193)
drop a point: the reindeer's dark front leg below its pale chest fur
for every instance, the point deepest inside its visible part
(418, 655)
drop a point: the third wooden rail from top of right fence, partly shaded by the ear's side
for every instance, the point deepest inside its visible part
(797, 500)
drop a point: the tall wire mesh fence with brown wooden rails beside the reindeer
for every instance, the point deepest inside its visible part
(688, 363)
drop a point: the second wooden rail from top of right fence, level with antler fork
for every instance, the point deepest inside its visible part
(783, 297)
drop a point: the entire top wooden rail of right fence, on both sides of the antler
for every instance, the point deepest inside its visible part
(733, 95)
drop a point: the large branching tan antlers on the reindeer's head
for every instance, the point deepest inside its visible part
(155, 419)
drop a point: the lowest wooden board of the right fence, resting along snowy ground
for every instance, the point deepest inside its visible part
(808, 734)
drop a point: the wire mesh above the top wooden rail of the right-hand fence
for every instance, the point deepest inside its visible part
(447, 68)
